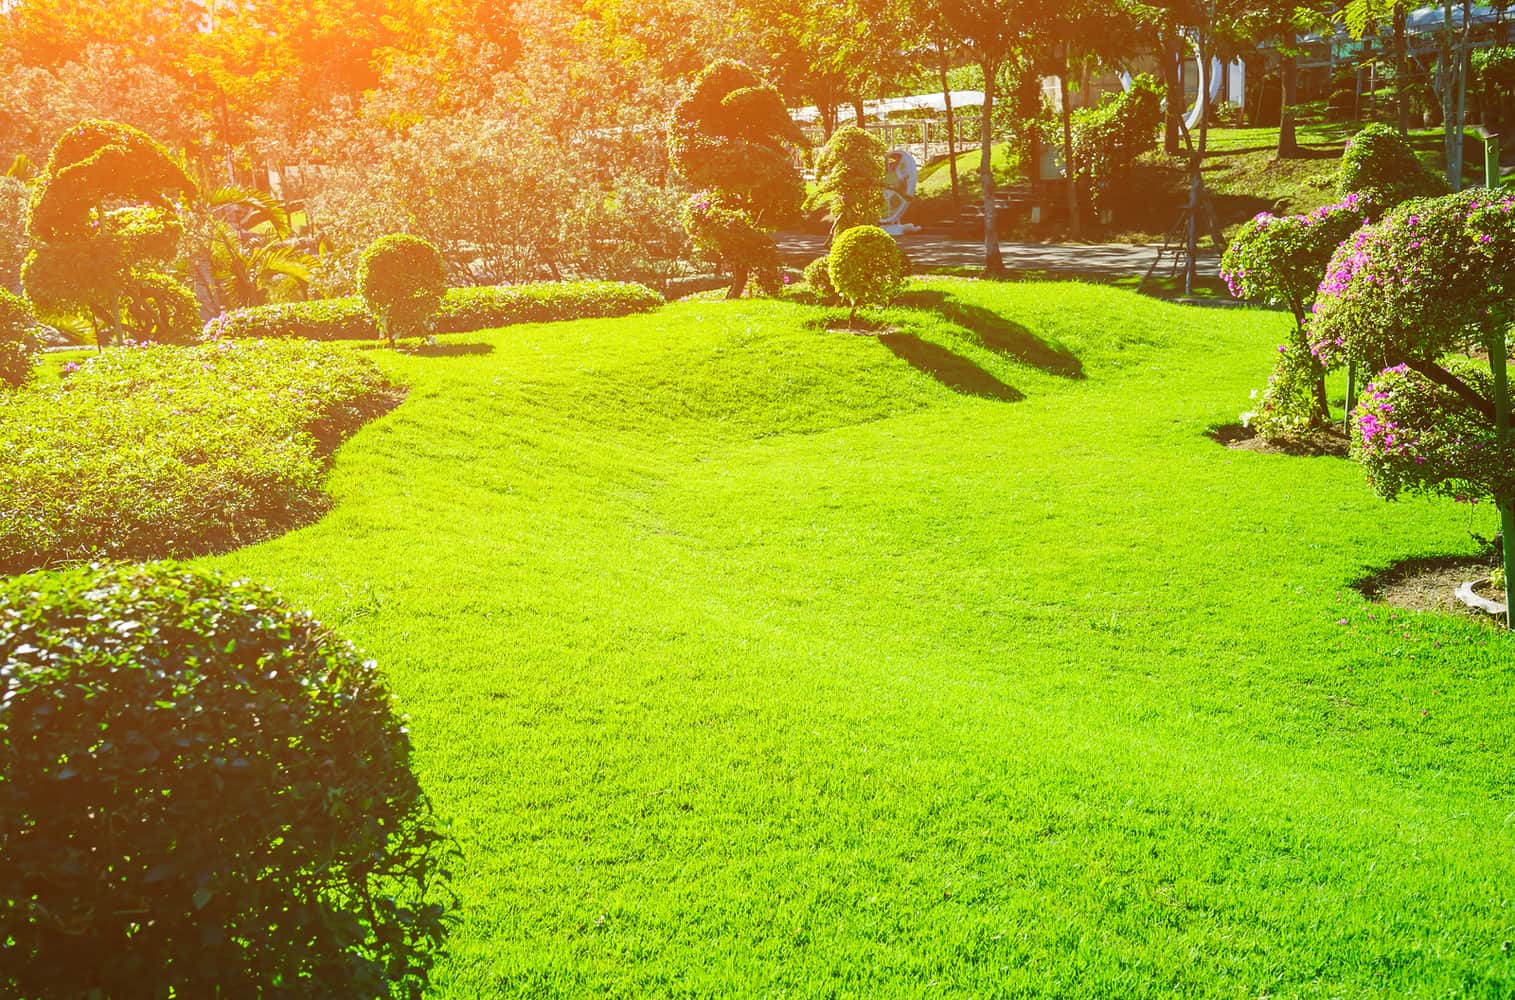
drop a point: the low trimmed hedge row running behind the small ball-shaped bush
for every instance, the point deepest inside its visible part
(463, 311)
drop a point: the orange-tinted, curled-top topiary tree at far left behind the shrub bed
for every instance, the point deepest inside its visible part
(104, 223)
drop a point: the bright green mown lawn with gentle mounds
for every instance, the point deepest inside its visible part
(758, 660)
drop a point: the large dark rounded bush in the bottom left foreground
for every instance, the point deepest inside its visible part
(205, 795)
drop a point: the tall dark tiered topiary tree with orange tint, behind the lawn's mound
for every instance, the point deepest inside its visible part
(734, 139)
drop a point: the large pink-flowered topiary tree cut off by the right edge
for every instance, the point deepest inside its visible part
(1417, 296)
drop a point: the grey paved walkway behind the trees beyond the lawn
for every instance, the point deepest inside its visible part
(928, 251)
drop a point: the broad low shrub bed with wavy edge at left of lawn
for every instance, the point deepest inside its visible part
(170, 451)
